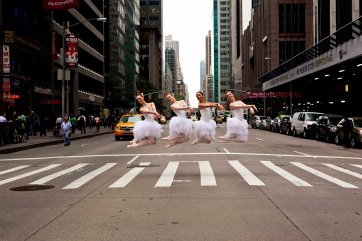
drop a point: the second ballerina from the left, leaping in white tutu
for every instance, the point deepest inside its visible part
(180, 128)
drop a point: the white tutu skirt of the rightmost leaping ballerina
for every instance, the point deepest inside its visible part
(237, 129)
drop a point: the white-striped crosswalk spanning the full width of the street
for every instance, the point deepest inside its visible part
(84, 174)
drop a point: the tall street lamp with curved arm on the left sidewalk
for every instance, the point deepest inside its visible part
(65, 29)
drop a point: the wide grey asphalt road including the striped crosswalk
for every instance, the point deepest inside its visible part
(274, 187)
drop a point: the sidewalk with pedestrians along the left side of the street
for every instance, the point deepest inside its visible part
(49, 139)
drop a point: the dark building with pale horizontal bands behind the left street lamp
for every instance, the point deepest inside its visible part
(36, 38)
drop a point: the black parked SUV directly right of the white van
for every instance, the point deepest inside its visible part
(326, 127)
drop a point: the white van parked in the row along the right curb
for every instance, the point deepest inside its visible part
(304, 123)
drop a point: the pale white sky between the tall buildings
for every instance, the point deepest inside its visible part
(188, 21)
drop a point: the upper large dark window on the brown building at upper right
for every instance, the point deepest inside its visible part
(291, 18)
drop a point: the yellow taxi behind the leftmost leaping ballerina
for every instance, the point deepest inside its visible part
(124, 127)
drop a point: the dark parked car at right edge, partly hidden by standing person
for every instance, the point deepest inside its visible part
(356, 136)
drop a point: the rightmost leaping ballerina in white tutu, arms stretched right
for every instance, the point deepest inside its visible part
(237, 126)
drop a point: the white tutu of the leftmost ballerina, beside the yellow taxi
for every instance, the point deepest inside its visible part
(148, 128)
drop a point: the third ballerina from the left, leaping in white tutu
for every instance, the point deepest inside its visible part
(205, 127)
